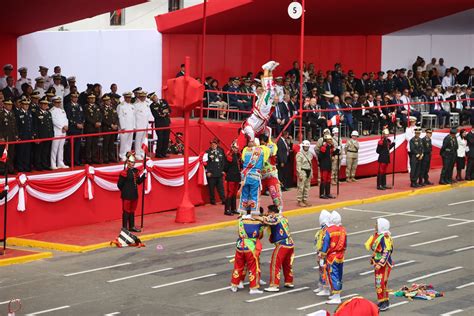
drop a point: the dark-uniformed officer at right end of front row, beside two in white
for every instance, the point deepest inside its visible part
(161, 112)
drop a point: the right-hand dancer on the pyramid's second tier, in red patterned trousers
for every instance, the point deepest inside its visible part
(270, 179)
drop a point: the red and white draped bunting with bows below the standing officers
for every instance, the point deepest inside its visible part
(54, 187)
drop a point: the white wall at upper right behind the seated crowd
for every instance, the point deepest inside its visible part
(401, 51)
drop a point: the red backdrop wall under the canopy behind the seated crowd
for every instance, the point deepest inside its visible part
(235, 55)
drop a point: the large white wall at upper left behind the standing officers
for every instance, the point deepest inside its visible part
(130, 58)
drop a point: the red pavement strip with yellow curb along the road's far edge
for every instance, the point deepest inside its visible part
(160, 225)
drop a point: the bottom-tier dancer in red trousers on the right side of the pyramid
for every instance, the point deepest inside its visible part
(284, 252)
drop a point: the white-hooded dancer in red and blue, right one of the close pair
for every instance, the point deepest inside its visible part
(334, 247)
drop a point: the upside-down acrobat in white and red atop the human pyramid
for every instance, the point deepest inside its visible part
(257, 122)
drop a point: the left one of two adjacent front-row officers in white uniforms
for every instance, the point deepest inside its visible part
(126, 114)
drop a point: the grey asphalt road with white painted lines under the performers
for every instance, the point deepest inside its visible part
(190, 276)
